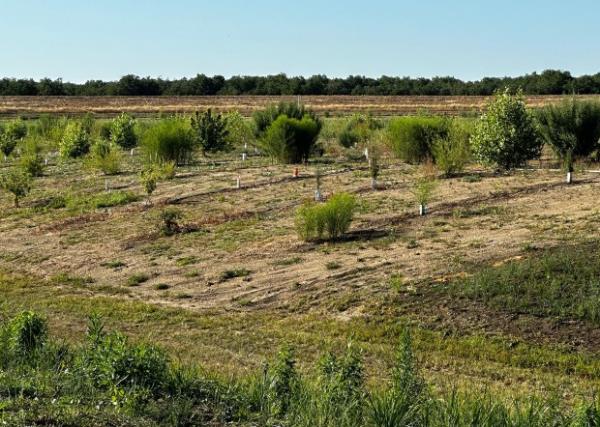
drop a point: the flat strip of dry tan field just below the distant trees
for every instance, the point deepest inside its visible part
(334, 105)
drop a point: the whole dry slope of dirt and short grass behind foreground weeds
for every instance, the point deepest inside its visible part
(239, 283)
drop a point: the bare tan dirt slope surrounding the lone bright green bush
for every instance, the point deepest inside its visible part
(249, 233)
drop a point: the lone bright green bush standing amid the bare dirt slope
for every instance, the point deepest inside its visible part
(314, 221)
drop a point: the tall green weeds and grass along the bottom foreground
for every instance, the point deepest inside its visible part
(108, 380)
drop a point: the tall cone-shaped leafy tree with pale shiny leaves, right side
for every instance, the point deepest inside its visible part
(506, 134)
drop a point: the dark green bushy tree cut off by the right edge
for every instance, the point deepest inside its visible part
(571, 128)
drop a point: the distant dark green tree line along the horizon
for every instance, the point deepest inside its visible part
(549, 82)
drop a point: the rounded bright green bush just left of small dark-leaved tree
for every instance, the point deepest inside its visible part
(170, 139)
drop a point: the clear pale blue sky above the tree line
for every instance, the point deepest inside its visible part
(79, 40)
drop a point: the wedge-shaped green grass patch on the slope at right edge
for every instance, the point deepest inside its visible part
(554, 282)
